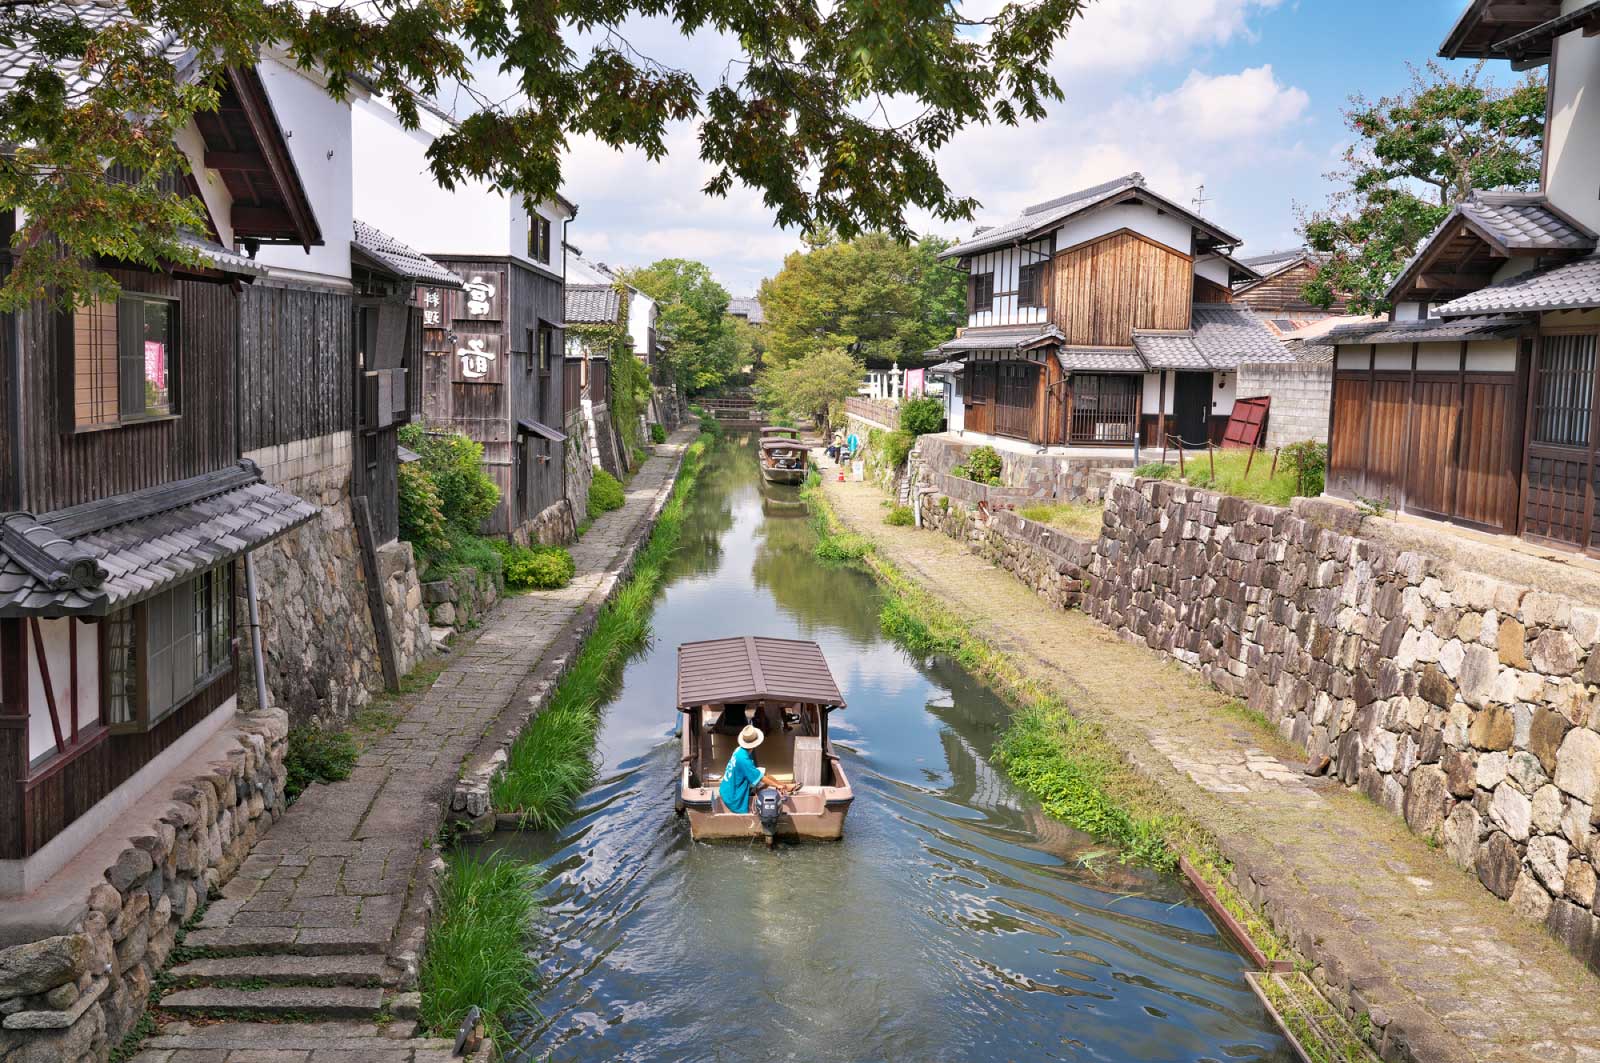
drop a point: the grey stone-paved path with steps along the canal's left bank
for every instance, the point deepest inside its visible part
(324, 921)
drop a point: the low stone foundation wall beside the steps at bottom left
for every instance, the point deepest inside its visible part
(73, 997)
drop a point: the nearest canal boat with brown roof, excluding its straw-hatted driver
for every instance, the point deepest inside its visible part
(785, 689)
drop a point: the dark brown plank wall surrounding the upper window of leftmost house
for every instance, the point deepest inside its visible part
(70, 468)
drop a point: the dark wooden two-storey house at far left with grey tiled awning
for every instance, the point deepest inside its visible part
(124, 503)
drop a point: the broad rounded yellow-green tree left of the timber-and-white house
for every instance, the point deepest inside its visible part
(879, 297)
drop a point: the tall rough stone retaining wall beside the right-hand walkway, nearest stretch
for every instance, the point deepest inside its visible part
(1458, 700)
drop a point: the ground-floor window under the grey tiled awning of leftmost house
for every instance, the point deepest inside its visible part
(164, 651)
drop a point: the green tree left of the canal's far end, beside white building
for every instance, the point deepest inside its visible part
(700, 340)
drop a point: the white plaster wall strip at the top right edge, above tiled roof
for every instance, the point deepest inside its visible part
(1574, 143)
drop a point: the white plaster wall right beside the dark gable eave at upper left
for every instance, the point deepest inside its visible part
(319, 137)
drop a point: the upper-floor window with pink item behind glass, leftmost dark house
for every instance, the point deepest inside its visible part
(124, 361)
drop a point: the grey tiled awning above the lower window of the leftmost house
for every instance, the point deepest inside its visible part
(103, 556)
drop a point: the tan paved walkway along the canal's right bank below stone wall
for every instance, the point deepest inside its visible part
(1444, 966)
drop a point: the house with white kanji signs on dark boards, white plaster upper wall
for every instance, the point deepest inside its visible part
(494, 366)
